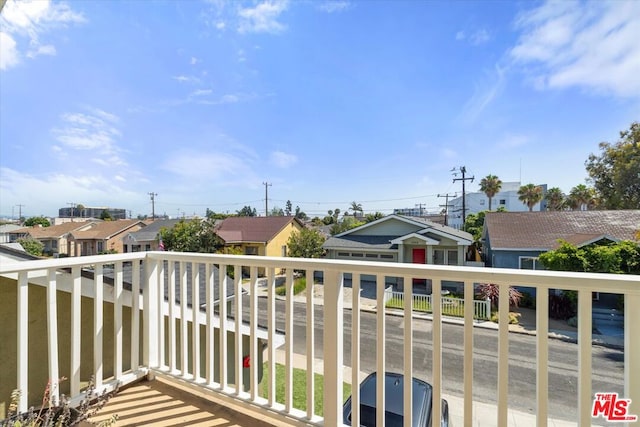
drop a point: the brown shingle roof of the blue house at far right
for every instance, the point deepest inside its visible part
(541, 230)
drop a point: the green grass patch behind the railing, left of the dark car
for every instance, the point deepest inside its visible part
(299, 388)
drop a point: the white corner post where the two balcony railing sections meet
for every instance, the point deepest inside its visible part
(150, 350)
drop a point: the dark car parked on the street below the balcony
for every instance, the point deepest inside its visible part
(394, 407)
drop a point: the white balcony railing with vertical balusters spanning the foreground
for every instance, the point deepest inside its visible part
(135, 329)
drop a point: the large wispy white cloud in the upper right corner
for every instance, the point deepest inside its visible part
(590, 45)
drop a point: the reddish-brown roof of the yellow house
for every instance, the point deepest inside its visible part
(255, 229)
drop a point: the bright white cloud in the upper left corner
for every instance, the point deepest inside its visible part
(30, 20)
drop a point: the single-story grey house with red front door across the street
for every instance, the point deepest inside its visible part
(398, 238)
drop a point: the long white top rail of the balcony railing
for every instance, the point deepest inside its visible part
(600, 282)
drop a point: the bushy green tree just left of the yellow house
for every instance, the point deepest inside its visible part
(194, 235)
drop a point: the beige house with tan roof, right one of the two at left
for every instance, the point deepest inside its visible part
(103, 237)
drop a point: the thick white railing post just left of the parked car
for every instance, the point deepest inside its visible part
(333, 351)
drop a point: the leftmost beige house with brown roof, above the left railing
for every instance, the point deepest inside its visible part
(54, 238)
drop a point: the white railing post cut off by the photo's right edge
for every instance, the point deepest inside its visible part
(632, 352)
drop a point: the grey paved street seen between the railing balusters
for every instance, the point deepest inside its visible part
(608, 364)
